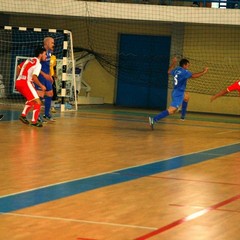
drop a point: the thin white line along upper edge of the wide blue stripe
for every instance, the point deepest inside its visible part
(111, 172)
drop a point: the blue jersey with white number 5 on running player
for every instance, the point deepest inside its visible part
(180, 77)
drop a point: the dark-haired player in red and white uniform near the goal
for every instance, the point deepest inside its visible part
(24, 84)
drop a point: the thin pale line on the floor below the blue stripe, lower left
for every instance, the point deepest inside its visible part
(76, 220)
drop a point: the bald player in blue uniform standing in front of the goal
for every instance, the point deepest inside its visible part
(46, 79)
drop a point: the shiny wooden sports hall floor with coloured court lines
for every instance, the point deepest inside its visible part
(102, 174)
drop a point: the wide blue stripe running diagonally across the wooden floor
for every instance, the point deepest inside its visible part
(54, 192)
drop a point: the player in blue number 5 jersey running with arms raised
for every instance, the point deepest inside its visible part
(180, 74)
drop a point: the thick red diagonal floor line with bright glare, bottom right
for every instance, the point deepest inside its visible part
(188, 218)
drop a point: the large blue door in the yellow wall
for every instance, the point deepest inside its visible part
(142, 74)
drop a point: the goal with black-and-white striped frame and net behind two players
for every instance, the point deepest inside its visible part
(17, 44)
